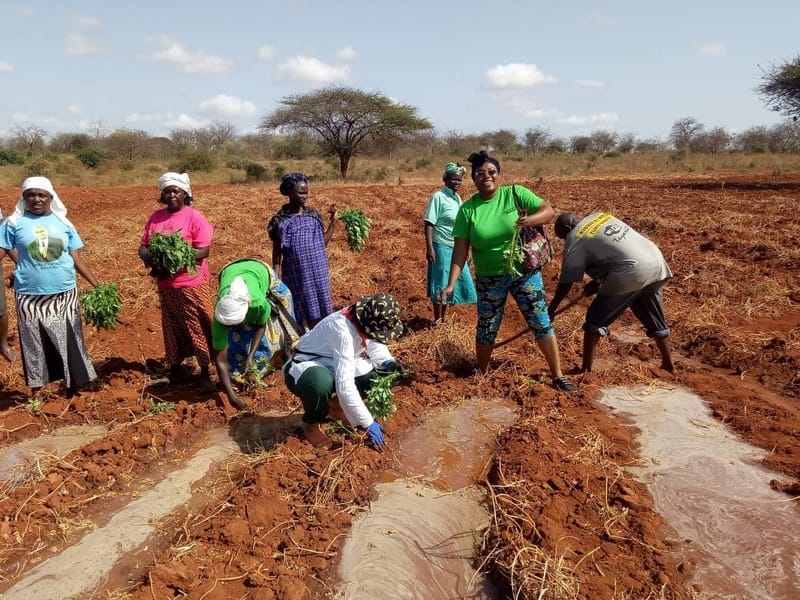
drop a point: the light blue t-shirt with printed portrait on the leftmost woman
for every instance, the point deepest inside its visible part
(43, 243)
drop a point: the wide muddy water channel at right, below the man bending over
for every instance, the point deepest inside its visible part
(711, 489)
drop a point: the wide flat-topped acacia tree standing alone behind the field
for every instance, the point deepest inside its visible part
(345, 119)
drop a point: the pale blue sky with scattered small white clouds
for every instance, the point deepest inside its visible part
(570, 67)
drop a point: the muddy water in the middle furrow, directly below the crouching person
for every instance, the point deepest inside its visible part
(417, 540)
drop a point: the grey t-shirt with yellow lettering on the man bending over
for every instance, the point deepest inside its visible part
(612, 252)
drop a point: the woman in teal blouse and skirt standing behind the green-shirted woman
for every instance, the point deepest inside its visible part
(440, 215)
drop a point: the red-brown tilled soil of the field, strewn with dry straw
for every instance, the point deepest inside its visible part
(733, 242)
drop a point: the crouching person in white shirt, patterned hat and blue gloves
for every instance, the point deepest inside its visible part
(341, 354)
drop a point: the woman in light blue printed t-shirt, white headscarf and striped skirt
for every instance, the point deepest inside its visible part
(45, 285)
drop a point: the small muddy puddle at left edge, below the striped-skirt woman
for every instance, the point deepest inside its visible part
(18, 460)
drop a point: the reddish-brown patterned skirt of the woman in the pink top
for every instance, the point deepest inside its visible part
(186, 323)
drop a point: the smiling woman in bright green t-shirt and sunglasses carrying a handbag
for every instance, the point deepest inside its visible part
(486, 223)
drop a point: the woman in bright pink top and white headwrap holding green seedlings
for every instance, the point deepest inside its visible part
(186, 305)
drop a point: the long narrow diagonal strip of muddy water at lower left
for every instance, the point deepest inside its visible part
(79, 568)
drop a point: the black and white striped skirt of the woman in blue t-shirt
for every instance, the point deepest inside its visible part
(51, 339)
